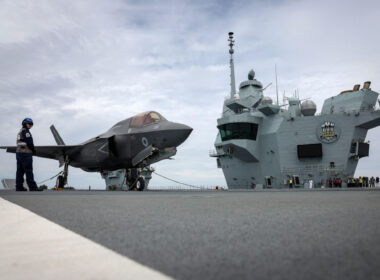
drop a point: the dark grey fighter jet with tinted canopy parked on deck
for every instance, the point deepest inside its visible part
(132, 144)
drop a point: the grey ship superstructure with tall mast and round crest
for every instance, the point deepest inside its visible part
(262, 144)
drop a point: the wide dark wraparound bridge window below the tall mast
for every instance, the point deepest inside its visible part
(238, 131)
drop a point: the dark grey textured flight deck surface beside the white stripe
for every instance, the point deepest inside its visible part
(268, 234)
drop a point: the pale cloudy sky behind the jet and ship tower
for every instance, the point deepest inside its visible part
(85, 65)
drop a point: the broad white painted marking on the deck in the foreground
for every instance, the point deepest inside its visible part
(32, 247)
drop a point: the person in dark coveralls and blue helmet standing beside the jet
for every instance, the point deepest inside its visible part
(24, 155)
